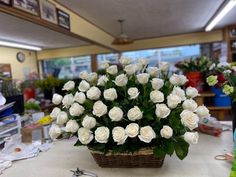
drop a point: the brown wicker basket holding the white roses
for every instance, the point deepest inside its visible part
(141, 159)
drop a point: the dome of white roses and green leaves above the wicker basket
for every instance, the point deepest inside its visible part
(136, 105)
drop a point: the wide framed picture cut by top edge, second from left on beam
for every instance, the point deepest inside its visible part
(31, 6)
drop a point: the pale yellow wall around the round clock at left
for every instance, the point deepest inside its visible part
(8, 55)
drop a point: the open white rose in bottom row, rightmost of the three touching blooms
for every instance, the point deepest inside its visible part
(146, 134)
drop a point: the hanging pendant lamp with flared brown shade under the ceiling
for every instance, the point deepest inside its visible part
(122, 38)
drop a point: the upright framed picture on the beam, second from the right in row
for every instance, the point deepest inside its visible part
(48, 11)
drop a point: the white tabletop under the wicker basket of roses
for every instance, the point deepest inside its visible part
(64, 156)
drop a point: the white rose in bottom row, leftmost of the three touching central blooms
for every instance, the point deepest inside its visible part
(119, 135)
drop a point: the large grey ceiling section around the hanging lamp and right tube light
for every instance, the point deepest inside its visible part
(149, 18)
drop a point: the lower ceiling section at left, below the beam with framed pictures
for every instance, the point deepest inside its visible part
(17, 30)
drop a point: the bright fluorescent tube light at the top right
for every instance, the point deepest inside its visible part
(228, 6)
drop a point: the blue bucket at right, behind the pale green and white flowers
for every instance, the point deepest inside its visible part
(220, 99)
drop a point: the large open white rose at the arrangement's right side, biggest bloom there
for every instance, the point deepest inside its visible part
(189, 119)
